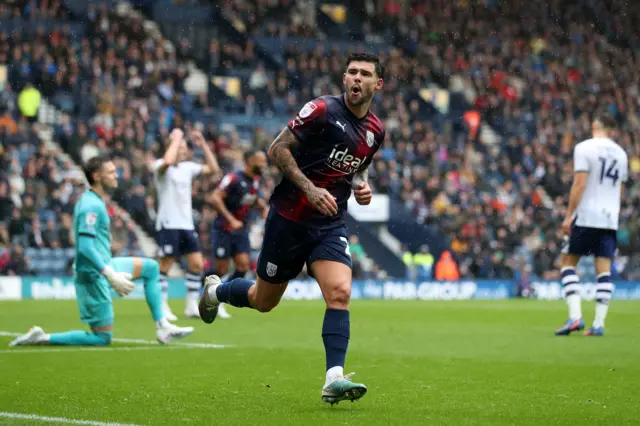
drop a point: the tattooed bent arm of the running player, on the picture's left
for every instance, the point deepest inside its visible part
(281, 156)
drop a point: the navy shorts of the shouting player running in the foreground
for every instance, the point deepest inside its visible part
(287, 246)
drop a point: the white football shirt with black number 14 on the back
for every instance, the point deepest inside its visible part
(607, 165)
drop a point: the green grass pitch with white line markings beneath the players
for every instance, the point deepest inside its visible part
(425, 363)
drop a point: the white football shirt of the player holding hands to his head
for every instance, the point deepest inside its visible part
(173, 188)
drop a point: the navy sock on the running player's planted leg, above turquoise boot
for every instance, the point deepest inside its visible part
(336, 331)
